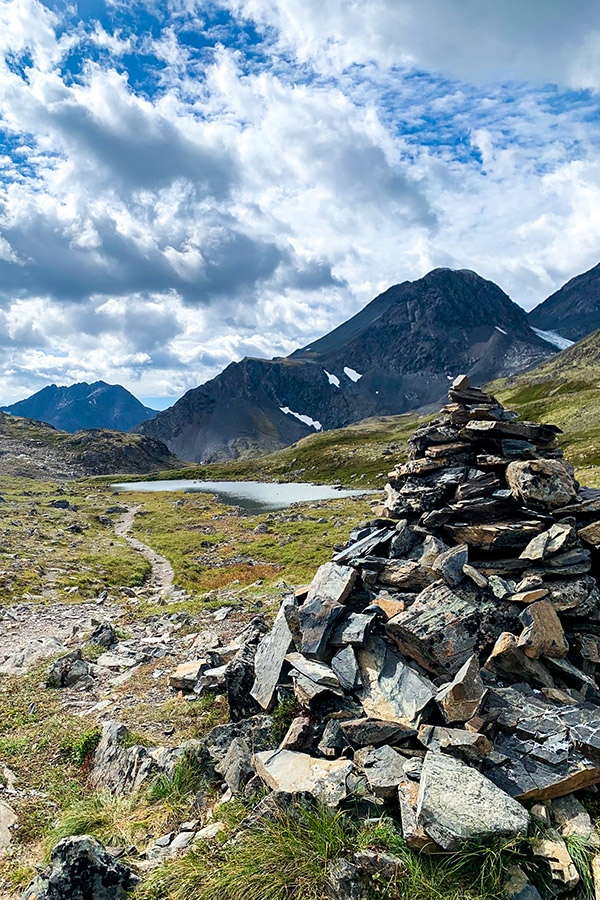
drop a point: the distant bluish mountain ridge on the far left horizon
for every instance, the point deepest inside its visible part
(83, 405)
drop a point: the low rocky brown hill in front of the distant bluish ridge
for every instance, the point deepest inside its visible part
(36, 450)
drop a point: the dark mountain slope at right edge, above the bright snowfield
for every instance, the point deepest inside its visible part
(574, 310)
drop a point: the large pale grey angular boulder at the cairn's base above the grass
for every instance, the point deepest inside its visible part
(477, 810)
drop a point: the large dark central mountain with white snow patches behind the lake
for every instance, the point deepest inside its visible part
(397, 354)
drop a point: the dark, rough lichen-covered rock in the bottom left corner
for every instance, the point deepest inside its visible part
(81, 869)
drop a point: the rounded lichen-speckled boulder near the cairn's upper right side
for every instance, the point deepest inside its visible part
(541, 483)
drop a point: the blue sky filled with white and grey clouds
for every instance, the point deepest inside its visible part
(184, 183)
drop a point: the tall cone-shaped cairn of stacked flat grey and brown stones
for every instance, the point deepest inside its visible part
(446, 659)
